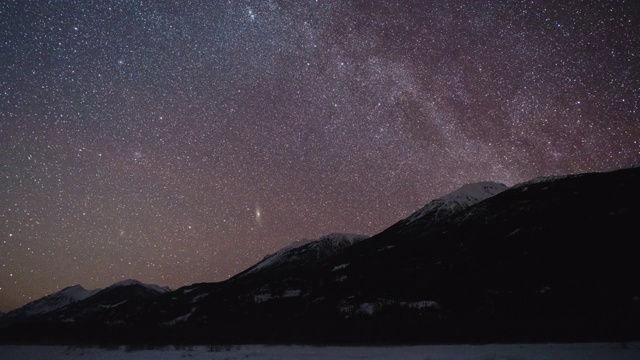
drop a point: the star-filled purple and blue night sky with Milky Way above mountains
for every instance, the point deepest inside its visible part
(181, 142)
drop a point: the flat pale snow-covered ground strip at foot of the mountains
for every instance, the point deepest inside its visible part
(599, 351)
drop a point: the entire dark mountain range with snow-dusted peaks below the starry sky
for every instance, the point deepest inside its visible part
(553, 259)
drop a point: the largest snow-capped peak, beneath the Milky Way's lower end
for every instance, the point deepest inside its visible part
(460, 199)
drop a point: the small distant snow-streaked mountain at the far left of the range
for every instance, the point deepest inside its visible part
(51, 302)
